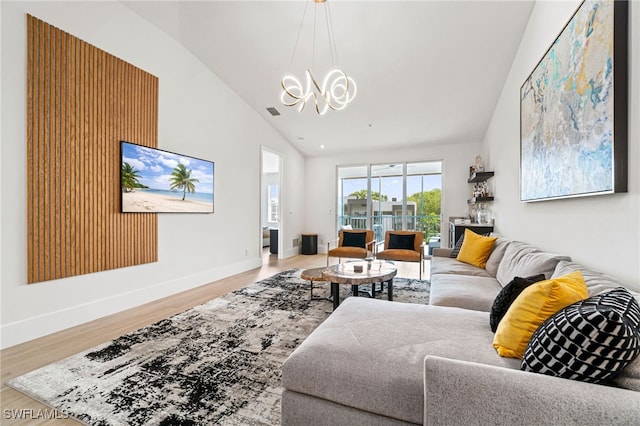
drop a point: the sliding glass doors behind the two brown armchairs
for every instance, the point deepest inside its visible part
(385, 197)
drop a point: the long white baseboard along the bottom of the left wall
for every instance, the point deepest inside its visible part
(32, 328)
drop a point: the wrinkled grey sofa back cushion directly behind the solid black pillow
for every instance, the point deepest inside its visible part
(523, 260)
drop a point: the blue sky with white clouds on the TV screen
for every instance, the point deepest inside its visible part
(155, 166)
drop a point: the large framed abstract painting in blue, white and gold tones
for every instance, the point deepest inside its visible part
(573, 109)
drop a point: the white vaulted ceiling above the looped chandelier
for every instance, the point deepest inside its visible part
(427, 72)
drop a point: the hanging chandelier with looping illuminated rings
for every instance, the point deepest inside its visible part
(336, 90)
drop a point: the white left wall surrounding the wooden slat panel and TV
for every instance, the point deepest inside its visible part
(198, 116)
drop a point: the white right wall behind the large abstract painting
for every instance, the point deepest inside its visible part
(602, 232)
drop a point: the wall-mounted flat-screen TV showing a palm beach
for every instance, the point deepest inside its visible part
(157, 181)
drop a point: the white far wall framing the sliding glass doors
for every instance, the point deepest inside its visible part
(321, 190)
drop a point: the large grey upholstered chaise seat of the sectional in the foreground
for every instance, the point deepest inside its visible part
(346, 361)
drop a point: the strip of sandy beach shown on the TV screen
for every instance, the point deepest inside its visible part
(142, 201)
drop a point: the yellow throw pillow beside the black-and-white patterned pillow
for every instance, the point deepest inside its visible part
(532, 307)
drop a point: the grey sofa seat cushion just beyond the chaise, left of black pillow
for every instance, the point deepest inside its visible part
(467, 292)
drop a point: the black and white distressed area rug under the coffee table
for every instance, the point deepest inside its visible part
(217, 363)
